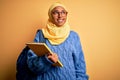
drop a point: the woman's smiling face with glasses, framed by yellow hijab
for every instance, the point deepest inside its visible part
(59, 16)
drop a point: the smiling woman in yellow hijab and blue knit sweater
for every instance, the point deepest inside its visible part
(65, 45)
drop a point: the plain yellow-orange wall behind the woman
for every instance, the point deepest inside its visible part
(96, 21)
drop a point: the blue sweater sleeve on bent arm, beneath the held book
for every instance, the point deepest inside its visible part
(38, 64)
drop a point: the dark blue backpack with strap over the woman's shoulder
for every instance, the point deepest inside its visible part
(23, 72)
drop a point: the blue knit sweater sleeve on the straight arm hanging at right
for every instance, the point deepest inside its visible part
(79, 61)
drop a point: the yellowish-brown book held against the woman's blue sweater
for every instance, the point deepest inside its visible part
(41, 49)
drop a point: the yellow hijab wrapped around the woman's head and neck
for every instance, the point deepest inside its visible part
(56, 35)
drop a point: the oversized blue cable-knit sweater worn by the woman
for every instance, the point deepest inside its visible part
(70, 54)
